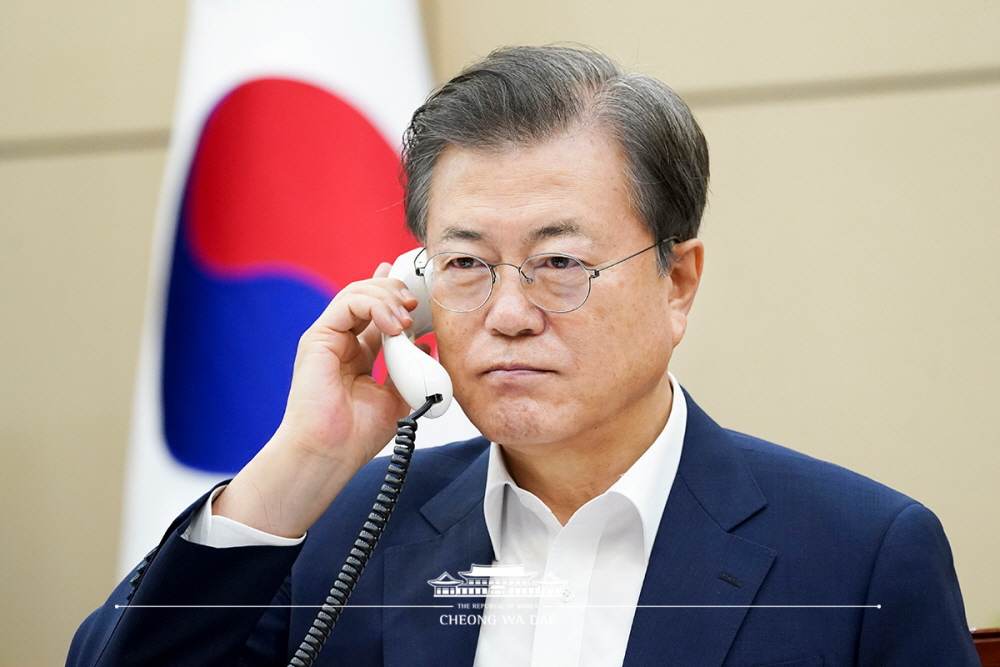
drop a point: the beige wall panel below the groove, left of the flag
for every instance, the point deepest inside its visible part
(74, 255)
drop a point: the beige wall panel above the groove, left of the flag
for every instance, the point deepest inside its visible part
(80, 68)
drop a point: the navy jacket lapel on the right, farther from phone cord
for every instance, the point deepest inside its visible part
(700, 577)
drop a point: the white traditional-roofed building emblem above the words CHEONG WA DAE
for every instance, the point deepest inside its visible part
(497, 580)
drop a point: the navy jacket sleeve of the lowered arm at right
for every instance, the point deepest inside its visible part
(920, 617)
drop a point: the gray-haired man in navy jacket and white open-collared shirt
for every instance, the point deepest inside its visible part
(559, 201)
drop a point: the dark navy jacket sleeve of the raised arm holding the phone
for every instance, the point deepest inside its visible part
(186, 604)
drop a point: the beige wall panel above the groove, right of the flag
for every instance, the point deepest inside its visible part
(724, 43)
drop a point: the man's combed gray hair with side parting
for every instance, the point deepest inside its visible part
(519, 96)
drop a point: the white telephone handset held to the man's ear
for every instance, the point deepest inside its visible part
(416, 375)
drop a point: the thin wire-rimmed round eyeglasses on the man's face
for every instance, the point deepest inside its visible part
(558, 283)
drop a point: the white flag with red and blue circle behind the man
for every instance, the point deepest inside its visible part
(281, 186)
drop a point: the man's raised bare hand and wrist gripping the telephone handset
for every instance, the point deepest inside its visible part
(337, 417)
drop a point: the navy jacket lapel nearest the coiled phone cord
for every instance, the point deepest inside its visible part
(438, 636)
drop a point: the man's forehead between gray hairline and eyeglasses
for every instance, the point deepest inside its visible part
(573, 185)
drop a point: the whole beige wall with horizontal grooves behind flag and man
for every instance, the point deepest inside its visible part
(850, 307)
